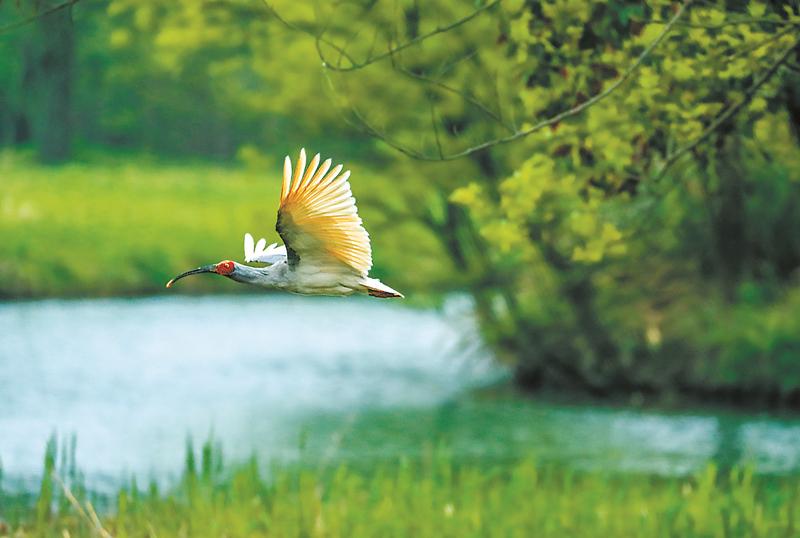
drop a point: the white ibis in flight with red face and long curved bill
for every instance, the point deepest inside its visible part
(326, 249)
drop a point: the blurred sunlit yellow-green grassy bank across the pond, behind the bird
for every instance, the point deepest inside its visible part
(123, 226)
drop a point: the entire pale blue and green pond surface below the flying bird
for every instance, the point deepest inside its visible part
(326, 379)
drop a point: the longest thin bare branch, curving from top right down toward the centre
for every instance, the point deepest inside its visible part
(542, 124)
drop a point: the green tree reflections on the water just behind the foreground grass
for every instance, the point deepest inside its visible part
(581, 436)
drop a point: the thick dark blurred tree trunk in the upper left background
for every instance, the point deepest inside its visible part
(52, 85)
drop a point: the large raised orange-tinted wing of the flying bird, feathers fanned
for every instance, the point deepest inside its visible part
(318, 220)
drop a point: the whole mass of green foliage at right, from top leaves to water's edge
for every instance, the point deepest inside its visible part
(614, 281)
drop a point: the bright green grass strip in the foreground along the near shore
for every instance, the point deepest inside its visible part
(435, 497)
